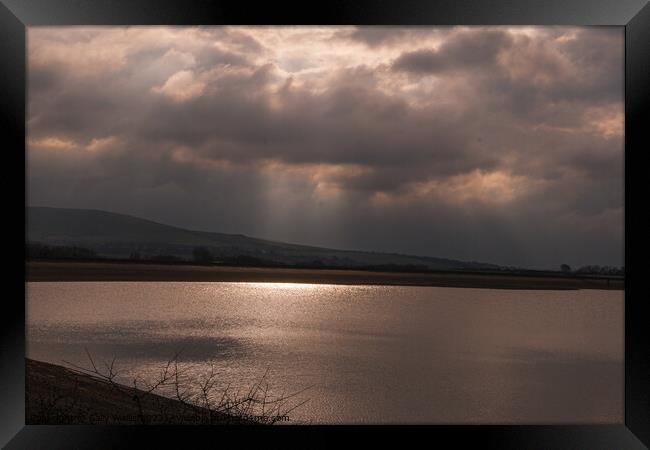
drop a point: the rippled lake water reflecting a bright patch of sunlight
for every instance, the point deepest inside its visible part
(369, 354)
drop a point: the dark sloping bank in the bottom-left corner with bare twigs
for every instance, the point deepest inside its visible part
(56, 395)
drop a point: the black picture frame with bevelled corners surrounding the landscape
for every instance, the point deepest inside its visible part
(634, 15)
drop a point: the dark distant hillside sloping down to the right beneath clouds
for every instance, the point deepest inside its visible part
(120, 236)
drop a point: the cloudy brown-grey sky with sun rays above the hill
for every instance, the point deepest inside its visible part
(493, 144)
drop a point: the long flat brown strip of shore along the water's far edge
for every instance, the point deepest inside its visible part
(124, 271)
